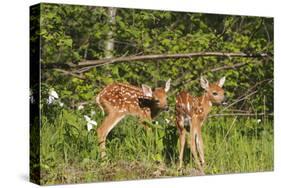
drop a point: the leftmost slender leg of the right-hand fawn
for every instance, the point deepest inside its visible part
(182, 132)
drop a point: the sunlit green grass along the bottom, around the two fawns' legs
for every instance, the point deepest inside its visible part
(69, 153)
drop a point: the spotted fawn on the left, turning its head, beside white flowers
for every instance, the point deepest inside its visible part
(119, 100)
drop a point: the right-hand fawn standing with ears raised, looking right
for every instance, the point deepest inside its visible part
(194, 110)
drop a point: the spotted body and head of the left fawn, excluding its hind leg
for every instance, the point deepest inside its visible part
(128, 99)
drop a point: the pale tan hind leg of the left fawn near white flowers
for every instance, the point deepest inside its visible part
(106, 126)
